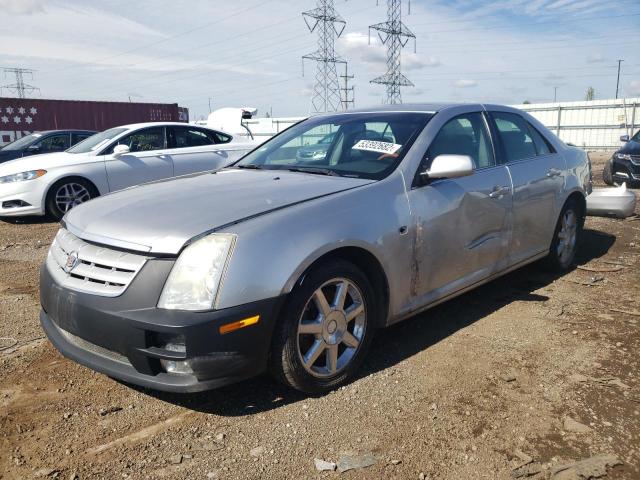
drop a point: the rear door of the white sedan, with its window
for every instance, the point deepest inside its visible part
(195, 149)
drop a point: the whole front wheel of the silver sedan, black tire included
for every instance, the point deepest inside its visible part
(304, 332)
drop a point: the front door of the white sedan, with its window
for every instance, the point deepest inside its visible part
(145, 162)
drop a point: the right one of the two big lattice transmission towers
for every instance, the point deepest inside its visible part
(395, 35)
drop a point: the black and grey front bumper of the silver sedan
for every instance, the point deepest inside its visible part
(123, 337)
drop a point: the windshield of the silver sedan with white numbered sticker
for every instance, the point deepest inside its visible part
(363, 145)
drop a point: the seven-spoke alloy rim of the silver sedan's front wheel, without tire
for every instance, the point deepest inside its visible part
(331, 327)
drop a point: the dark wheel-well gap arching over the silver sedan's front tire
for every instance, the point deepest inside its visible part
(362, 258)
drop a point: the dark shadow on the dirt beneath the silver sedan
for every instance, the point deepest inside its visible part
(398, 342)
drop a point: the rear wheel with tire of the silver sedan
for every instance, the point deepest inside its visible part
(566, 237)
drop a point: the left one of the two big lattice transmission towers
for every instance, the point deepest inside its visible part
(330, 25)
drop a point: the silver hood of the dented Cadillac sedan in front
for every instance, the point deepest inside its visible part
(161, 217)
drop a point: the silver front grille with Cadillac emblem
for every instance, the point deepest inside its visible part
(96, 270)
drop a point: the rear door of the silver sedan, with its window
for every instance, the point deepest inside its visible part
(537, 173)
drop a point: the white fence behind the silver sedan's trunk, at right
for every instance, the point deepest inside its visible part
(592, 125)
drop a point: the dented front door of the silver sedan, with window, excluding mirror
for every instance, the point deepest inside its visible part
(462, 225)
